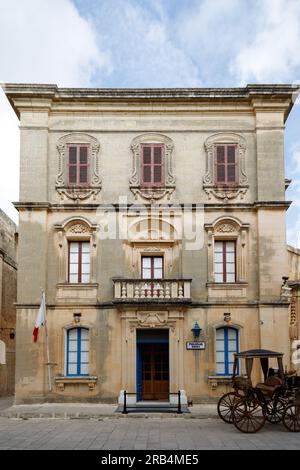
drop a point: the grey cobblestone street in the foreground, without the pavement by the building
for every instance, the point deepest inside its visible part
(132, 433)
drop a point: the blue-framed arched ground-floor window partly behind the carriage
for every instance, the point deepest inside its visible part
(227, 343)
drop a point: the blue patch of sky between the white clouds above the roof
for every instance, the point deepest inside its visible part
(141, 46)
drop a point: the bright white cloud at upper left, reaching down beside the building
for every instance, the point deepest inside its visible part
(40, 41)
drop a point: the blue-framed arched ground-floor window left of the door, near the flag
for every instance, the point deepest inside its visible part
(77, 353)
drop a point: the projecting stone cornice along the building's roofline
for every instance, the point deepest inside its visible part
(43, 96)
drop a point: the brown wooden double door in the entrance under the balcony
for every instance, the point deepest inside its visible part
(155, 371)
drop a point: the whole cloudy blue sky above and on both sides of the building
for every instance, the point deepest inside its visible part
(149, 43)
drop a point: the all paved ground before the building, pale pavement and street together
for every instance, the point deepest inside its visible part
(99, 427)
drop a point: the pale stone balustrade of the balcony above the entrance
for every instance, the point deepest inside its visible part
(158, 290)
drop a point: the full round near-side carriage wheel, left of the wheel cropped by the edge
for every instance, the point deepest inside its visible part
(248, 415)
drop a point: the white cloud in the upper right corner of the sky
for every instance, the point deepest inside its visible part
(272, 53)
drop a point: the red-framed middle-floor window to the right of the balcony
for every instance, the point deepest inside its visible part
(225, 261)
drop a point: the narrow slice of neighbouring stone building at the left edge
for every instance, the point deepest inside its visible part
(8, 297)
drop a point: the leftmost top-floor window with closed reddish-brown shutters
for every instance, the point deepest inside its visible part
(78, 165)
